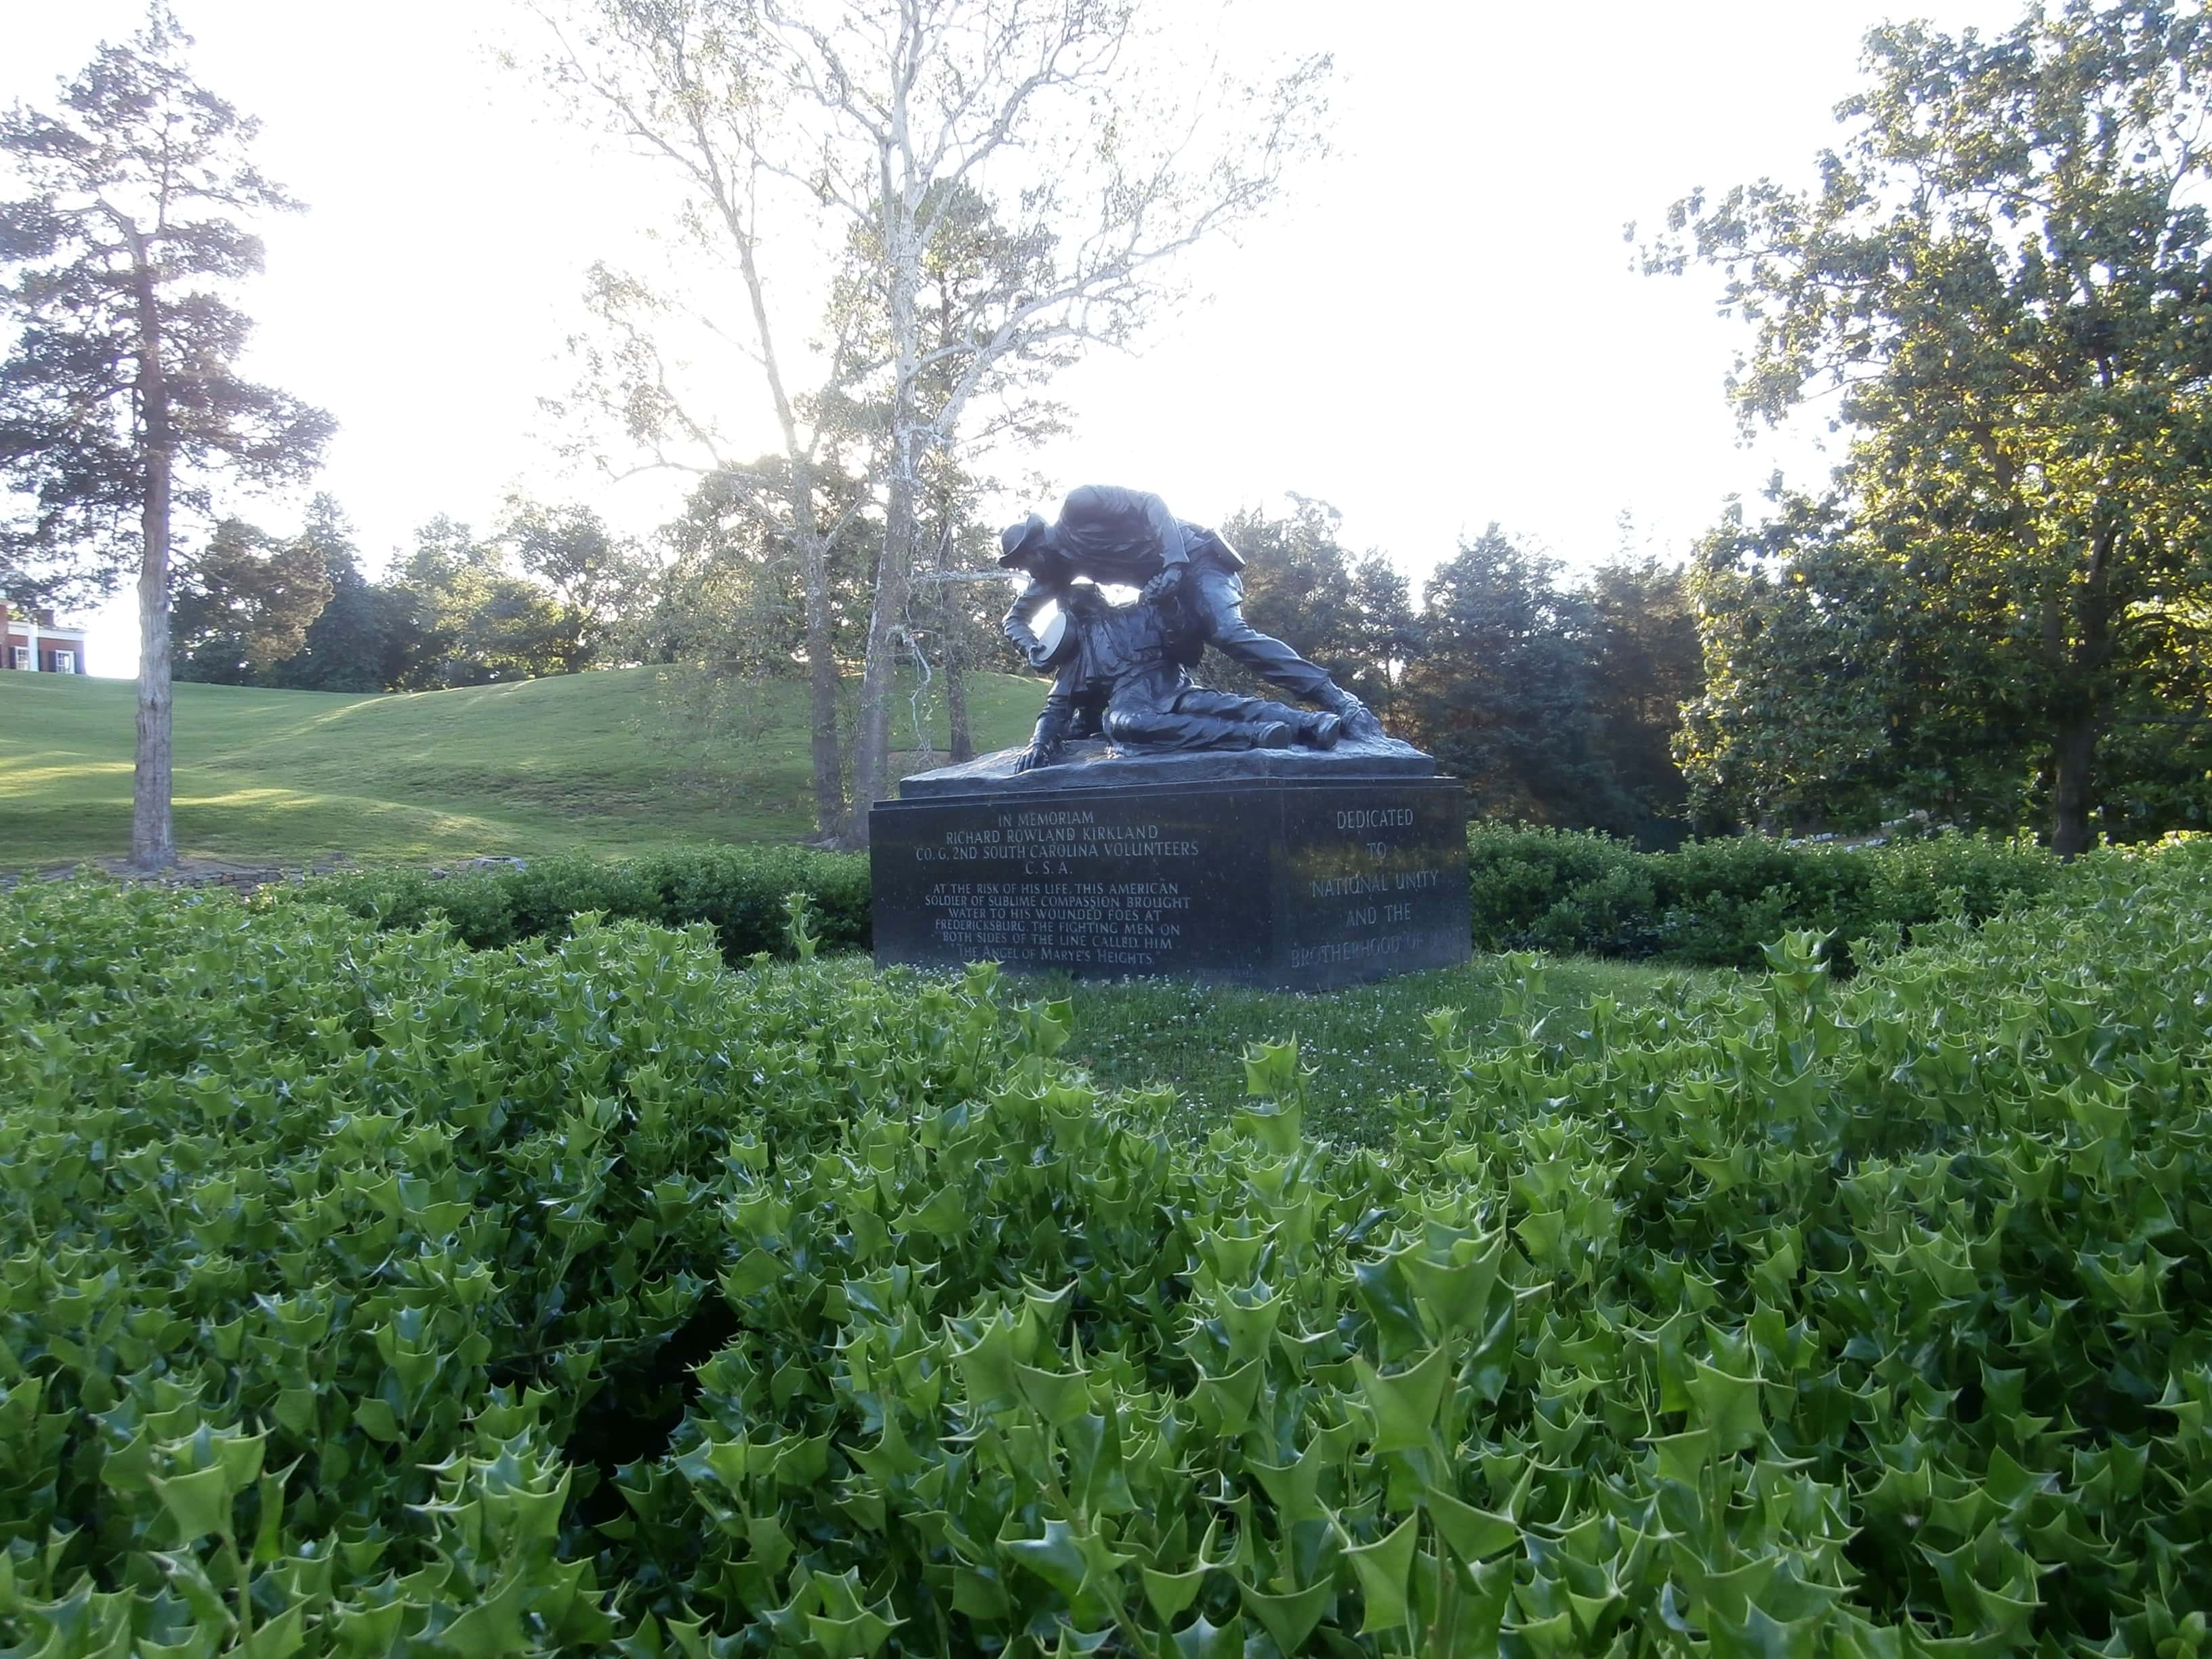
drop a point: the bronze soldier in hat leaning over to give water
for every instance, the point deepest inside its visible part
(1129, 536)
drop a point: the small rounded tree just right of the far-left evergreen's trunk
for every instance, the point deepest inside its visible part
(247, 605)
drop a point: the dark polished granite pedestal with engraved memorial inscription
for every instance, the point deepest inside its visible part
(1275, 868)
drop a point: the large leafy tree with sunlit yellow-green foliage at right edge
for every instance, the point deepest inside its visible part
(2005, 275)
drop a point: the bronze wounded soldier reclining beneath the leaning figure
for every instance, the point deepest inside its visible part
(1118, 674)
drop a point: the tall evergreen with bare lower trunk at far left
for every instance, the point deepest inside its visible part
(121, 399)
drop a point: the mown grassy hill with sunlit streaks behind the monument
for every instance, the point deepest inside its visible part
(605, 762)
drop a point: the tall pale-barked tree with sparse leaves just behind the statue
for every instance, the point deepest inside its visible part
(1034, 123)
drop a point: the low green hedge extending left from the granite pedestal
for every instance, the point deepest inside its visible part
(733, 890)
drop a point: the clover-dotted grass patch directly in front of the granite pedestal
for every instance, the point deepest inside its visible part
(1364, 1045)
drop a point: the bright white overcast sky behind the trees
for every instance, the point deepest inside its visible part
(1439, 328)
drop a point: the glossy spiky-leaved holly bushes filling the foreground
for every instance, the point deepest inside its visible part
(368, 1295)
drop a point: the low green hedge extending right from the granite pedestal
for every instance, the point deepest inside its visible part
(1718, 904)
